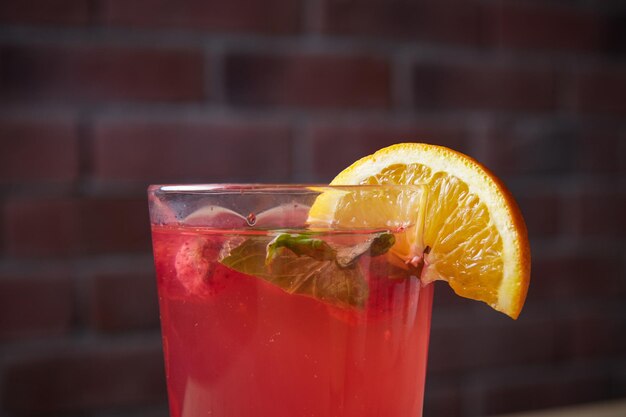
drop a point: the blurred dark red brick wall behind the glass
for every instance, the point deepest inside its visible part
(99, 98)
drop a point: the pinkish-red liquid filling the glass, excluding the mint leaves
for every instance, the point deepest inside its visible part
(236, 345)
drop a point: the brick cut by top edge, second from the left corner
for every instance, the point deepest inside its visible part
(273, 16)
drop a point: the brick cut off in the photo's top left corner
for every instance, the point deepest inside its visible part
(45, 12)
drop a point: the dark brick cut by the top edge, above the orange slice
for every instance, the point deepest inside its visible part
(447, 21)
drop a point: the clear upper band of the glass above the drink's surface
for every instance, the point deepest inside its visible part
(194, 204)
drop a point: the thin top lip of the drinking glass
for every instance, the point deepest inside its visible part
(231, 188)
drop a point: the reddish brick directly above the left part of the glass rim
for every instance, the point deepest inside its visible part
(177, 151)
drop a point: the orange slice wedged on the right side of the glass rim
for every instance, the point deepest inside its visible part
(473, 236)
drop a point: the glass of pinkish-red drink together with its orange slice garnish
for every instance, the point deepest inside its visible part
(295, 300)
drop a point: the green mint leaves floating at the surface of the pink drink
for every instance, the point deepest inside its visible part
(302, 264)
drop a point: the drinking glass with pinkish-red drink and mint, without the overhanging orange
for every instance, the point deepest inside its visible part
(290, 300)
